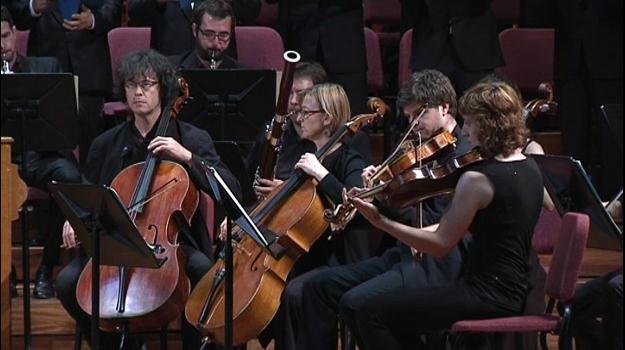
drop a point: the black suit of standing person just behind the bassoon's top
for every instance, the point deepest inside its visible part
(330, 28)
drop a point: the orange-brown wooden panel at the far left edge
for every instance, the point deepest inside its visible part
(13, 195)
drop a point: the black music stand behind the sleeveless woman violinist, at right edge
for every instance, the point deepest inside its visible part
(571, 190)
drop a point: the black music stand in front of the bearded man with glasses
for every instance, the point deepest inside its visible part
(230, 104)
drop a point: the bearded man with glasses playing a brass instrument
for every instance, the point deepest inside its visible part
(212, 27)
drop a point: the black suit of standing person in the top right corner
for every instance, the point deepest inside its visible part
(592, 30)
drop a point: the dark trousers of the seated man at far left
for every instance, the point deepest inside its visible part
(44, 167)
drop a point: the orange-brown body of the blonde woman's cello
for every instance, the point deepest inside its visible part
(259, 278)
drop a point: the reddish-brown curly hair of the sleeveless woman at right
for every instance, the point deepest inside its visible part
(496, 109)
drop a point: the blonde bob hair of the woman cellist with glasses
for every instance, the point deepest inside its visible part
(333, 101)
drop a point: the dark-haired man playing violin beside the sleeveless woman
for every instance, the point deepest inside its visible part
(353, 285)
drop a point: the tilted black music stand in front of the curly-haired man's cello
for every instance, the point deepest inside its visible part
(108, 234)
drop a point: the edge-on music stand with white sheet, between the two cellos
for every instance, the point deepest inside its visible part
(226, 198)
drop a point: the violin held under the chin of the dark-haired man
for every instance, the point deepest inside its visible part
(410, 155)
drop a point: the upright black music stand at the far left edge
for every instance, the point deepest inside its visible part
(40, 112)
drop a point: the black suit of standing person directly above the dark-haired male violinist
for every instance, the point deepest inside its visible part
(469, 26)
